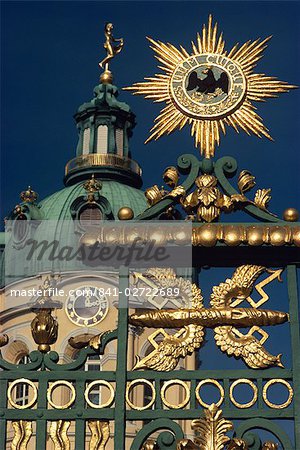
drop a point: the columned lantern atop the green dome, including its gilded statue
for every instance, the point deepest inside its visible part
(104, 127)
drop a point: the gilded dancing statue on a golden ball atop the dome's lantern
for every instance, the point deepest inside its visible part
(113, 46)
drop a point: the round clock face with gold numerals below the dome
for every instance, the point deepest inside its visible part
(87, 305)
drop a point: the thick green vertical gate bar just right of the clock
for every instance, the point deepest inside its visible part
(121, 373)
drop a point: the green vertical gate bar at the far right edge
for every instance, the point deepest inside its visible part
(295, 343)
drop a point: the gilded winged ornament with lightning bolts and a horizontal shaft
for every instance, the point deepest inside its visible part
(224, 316)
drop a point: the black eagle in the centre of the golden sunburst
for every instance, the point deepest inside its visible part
(209, 84)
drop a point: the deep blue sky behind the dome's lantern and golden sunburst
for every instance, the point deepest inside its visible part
(50, 54)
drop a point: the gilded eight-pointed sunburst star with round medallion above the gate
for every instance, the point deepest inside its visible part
(209, 111)
